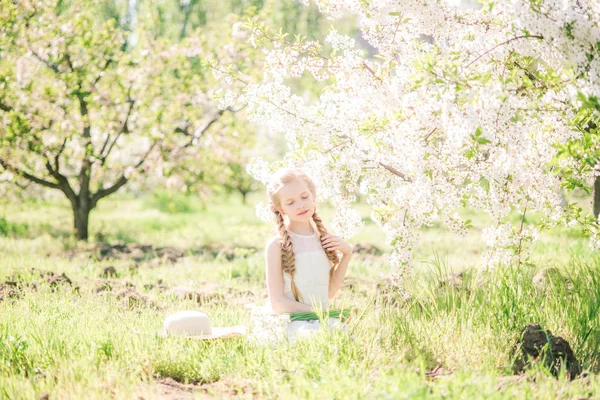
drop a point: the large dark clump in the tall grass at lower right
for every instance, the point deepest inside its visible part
(538, 345)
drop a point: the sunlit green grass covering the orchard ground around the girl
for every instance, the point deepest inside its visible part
(75, 343)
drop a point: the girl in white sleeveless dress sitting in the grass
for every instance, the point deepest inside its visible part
(304, 267)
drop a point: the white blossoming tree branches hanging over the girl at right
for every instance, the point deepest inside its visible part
(481, 108)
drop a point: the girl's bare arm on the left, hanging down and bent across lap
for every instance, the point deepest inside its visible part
(278, 301)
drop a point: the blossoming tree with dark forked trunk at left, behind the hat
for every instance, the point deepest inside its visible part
(84, 114)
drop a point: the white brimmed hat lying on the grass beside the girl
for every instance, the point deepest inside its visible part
(196, 325)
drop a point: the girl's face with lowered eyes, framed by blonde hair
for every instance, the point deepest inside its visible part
(297, 201)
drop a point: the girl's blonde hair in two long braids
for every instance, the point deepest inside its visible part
(288, 260)
